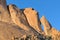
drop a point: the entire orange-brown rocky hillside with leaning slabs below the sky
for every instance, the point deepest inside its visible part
(24, 24)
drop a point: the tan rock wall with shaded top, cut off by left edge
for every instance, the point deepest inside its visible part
(4, 14)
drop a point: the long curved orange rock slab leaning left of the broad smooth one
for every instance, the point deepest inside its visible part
(17, 17)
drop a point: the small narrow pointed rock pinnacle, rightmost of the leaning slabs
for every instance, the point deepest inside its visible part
(46, 25)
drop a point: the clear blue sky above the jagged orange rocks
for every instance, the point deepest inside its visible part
(49, 8)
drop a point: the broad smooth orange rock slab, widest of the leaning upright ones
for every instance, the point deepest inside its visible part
(32, 17)
